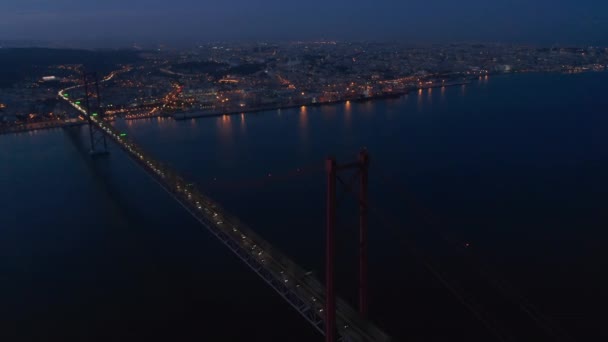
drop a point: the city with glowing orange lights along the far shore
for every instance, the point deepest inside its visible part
(217, 79)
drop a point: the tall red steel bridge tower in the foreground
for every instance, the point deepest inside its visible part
(361, 166)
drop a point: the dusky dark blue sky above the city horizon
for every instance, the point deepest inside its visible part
(546, 22)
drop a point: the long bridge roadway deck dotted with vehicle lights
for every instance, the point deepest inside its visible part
(301, 290)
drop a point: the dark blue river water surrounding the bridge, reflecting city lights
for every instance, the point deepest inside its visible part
(488, 220)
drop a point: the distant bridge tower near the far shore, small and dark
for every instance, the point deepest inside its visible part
(99, 145)
